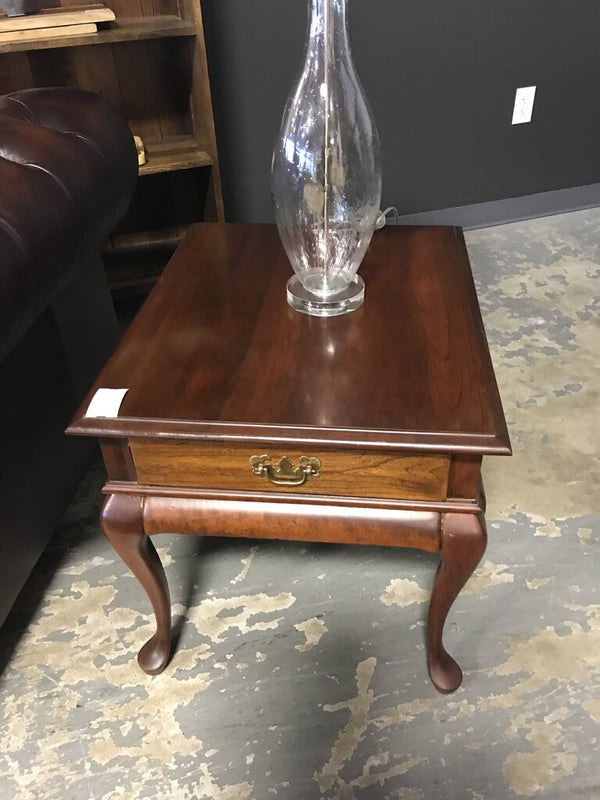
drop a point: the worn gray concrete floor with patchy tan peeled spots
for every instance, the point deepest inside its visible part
(300, 669)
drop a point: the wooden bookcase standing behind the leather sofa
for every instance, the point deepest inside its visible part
(151, 64)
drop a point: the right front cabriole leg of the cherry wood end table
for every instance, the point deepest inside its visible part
(463, 544)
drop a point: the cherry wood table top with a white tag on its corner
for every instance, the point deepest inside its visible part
(216, 353)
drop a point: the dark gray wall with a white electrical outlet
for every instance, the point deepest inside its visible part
(441, 77)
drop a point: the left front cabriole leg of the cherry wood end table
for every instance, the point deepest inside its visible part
(122, 522)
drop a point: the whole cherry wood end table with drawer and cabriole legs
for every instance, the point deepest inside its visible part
(246, 418)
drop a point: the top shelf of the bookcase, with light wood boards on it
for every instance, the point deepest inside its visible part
(121, 30)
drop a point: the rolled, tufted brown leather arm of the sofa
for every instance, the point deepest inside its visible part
(67, 172)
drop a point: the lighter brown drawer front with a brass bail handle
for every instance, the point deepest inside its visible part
(347, 473)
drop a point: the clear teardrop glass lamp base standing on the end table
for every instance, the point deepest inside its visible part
(326, 172)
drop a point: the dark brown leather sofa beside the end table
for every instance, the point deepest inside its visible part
(68, 167)
